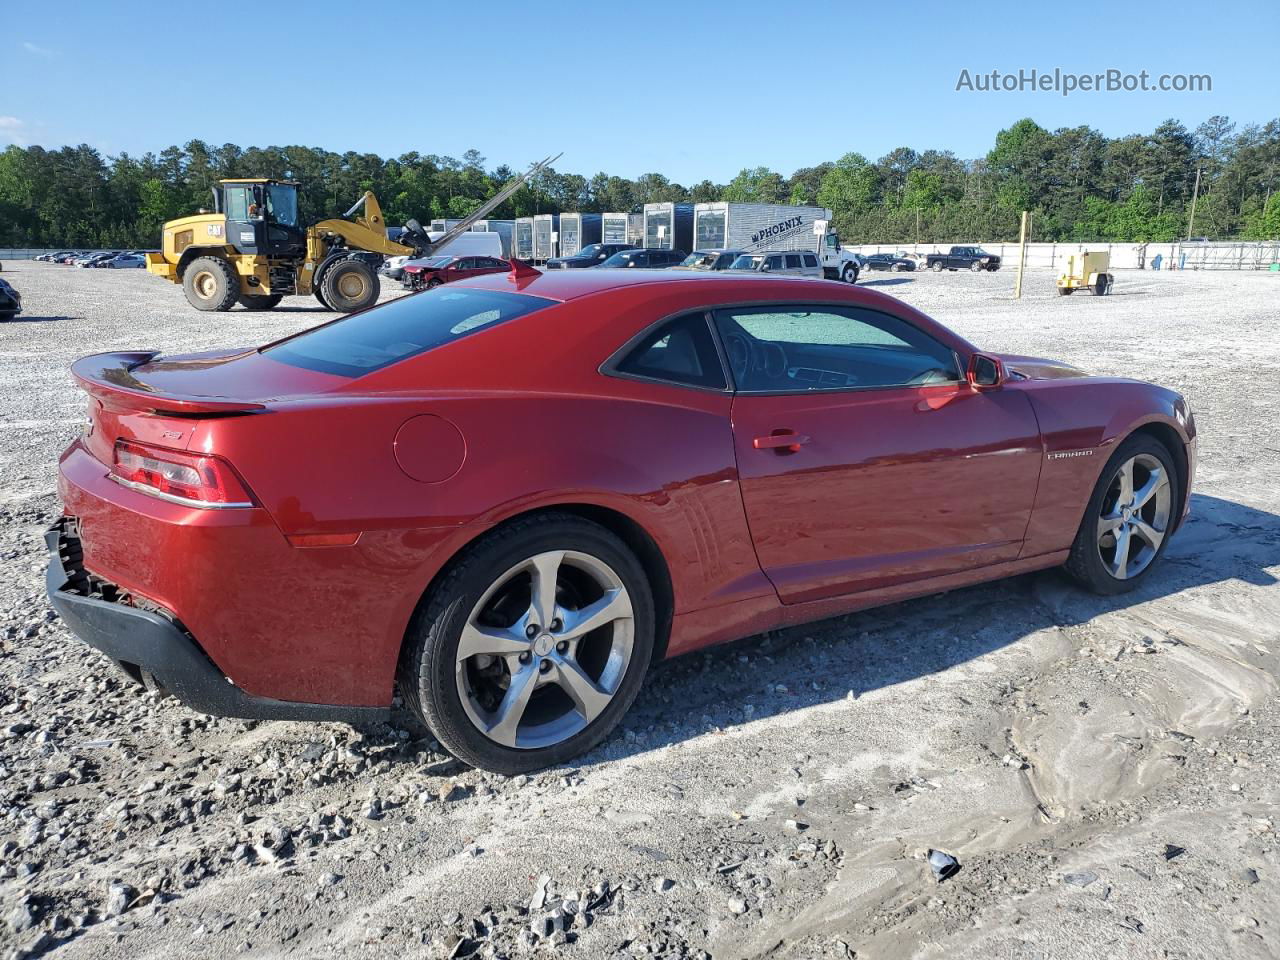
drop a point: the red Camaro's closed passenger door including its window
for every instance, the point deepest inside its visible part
(865, 458)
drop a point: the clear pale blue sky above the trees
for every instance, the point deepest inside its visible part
(688, 90)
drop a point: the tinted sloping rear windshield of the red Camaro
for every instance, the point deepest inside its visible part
(404, 328)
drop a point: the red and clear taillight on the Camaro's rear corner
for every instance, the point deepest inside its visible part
(194, 479)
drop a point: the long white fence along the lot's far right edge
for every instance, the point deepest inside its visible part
(1173, 257)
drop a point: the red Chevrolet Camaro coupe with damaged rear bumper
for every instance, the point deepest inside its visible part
(510, 495)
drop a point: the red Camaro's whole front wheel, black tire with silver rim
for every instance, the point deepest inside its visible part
(1128, 520)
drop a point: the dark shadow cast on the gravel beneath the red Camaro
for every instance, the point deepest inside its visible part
(796, 669)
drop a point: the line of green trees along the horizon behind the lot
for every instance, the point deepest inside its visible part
(1078, 185)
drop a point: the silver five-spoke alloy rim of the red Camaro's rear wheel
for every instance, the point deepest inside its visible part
(545, 651)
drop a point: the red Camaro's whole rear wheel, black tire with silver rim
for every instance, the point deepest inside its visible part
(533, 647)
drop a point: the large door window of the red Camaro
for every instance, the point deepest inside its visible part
(797, 349)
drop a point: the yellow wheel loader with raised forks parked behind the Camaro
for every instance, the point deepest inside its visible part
(252, 250)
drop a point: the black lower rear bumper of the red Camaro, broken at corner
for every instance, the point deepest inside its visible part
(140, 639)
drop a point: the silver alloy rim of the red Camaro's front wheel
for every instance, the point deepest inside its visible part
(1135, 518)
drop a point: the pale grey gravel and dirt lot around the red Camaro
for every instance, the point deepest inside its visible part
(1105, 770)
